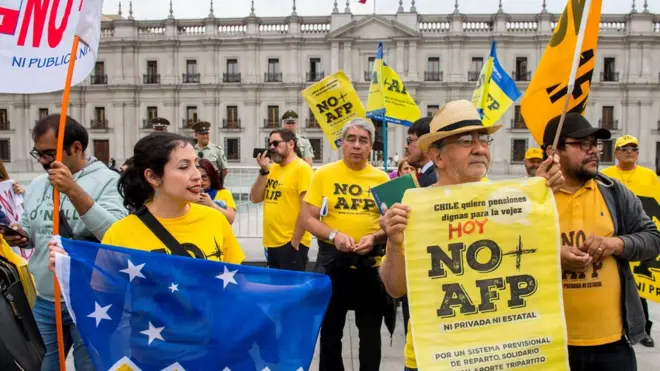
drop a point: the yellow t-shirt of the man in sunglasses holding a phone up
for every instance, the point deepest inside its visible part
(282, 202)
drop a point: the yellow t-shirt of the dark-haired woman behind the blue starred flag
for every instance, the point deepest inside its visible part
(203, 231)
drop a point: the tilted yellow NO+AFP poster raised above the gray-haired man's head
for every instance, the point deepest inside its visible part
(334, 102)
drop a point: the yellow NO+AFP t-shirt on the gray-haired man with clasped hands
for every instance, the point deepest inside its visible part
(351, 206)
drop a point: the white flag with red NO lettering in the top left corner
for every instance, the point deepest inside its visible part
(35, 43)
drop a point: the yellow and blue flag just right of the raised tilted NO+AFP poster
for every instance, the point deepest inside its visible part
(388, 99)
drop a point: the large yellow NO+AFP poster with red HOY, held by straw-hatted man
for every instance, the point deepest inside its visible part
(484, 278)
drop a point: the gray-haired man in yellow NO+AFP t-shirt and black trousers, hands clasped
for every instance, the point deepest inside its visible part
(344, 217)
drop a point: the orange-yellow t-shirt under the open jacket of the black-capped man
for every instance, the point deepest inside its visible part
(592, 300)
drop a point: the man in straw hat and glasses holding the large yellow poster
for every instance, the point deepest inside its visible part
(459, 146)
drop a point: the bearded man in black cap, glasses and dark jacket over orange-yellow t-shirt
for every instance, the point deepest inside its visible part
(603, 228)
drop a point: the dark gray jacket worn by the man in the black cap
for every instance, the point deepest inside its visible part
(641, 242)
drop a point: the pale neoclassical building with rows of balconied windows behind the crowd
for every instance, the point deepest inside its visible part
(241, 74)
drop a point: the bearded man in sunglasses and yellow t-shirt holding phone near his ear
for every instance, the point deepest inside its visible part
(282, 187)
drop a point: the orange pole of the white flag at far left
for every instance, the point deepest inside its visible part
(56, 198)
